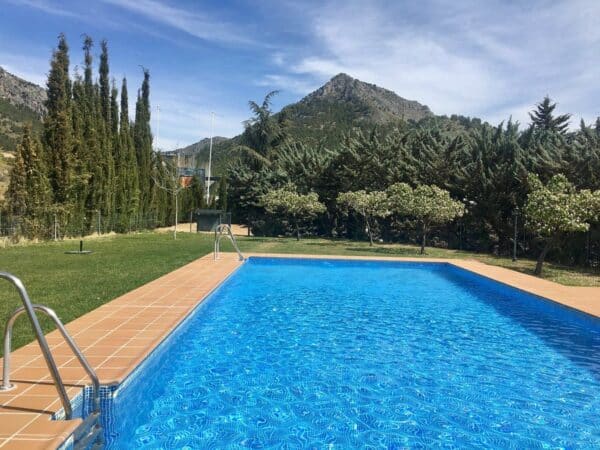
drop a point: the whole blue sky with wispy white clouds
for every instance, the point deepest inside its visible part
(489, 59)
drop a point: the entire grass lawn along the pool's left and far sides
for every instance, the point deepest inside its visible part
(75, 284)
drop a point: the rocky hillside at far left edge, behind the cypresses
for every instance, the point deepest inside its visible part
(20, 102)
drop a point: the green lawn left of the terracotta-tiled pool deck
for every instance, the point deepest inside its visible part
(75, 284)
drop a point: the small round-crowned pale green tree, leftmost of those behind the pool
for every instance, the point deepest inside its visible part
(298, 208)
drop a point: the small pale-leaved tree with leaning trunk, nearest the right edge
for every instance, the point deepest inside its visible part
(557, 208)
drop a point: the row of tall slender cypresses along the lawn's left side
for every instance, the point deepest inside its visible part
(91, 160)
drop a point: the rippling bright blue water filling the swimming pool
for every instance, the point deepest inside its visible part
(338, 354)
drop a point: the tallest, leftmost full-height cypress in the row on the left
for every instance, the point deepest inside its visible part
(58, 132)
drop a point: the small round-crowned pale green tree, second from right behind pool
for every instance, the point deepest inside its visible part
(430, 206)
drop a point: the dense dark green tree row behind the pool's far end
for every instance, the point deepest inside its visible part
(484, 167)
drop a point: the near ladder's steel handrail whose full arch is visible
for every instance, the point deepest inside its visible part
(74, 348)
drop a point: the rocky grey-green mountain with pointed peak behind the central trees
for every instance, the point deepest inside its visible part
(324, 115)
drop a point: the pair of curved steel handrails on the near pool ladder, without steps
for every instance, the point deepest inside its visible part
(30, 309)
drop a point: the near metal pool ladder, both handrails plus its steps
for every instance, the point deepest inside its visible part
(89, 433)
